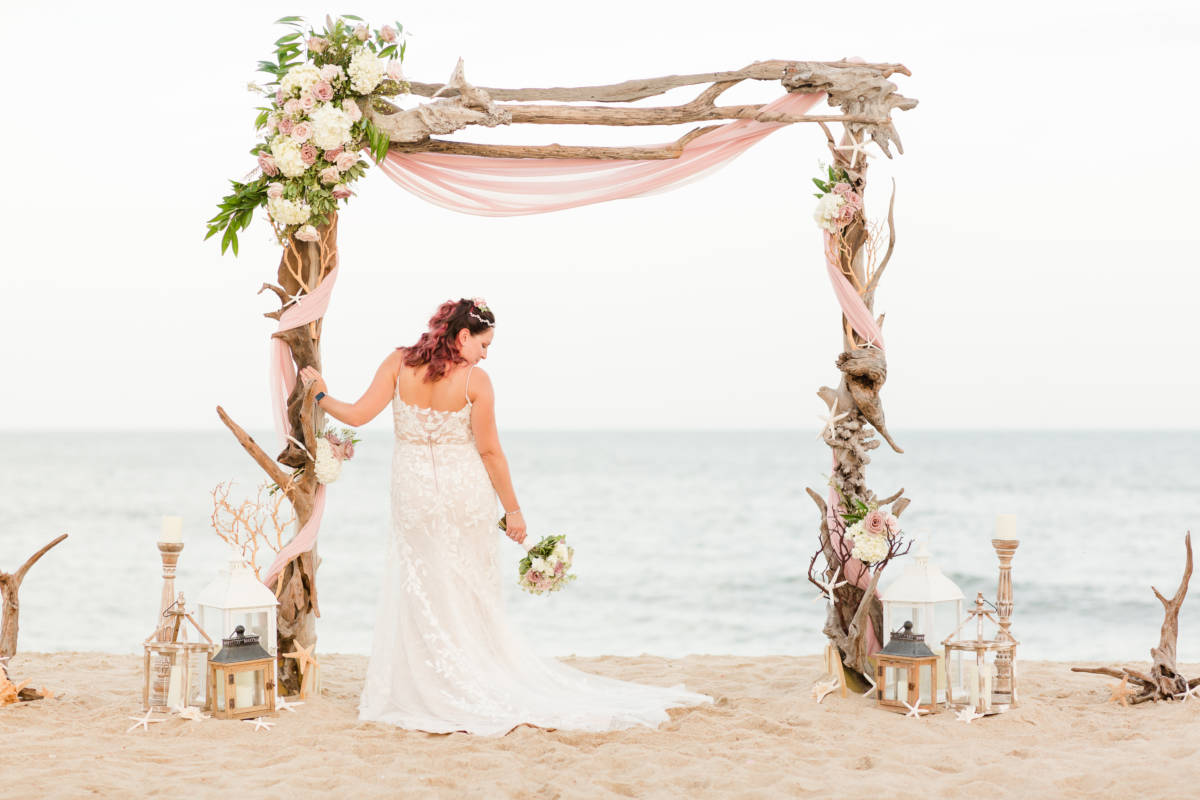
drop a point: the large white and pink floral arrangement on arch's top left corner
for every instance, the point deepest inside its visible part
(314, 125)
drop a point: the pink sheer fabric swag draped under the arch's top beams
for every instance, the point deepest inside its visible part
(501, 188)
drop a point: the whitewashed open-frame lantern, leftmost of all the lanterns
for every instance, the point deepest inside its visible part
(175, 671)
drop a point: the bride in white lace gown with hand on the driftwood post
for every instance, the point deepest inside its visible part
(445, 657)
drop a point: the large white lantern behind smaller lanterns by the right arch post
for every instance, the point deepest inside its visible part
(934, 605)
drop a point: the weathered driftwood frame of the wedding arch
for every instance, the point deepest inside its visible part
(865, 99)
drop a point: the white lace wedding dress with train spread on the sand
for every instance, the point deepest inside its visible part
(445, 657)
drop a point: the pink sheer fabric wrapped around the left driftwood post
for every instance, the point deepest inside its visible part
(283, 376)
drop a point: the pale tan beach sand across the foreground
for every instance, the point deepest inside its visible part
(764, 738)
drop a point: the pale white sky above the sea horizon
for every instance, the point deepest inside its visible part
(1046, 273)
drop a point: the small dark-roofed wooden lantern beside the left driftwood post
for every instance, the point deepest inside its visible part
(242, 678)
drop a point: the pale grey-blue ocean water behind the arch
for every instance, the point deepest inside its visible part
(686, 542)
